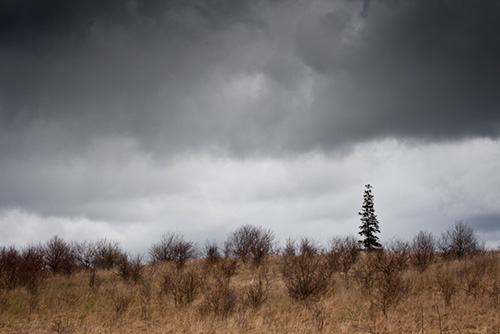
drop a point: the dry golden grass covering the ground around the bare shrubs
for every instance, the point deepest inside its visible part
(69, 305)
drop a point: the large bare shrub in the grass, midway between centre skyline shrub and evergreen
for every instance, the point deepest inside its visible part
(305, 270)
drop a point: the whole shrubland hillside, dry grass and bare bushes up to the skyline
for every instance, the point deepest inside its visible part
(425, 286)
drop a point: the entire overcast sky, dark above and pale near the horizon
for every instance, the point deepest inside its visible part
(128, 119)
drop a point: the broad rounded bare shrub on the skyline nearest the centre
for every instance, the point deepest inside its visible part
(251, 243)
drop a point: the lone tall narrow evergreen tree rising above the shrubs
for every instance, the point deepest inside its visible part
(369, 221)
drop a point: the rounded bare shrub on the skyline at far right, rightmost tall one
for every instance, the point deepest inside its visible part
(459, 241)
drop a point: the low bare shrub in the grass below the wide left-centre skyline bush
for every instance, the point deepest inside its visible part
(182, 285)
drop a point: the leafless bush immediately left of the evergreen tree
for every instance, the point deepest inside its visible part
(343, 254)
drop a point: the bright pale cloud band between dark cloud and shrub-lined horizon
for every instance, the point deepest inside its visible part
(205, 196)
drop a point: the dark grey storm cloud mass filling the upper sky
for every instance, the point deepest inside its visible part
(256, 76)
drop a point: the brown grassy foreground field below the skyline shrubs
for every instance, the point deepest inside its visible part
(380, 293)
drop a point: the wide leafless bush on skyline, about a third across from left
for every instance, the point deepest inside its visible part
(172, 248)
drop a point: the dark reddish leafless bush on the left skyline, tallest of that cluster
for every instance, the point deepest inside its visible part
(59, 257)
